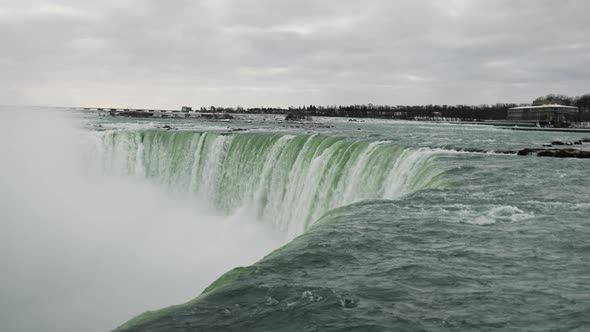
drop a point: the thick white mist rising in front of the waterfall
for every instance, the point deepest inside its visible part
(81, 250)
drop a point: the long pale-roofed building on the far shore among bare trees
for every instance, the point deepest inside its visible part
(544, 114)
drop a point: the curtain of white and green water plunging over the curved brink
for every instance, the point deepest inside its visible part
(286, 181)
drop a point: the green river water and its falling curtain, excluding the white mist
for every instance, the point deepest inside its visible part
(396, 226)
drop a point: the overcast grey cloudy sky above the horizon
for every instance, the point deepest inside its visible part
(151, 53)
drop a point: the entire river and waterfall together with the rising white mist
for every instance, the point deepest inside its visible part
(324, 226)
